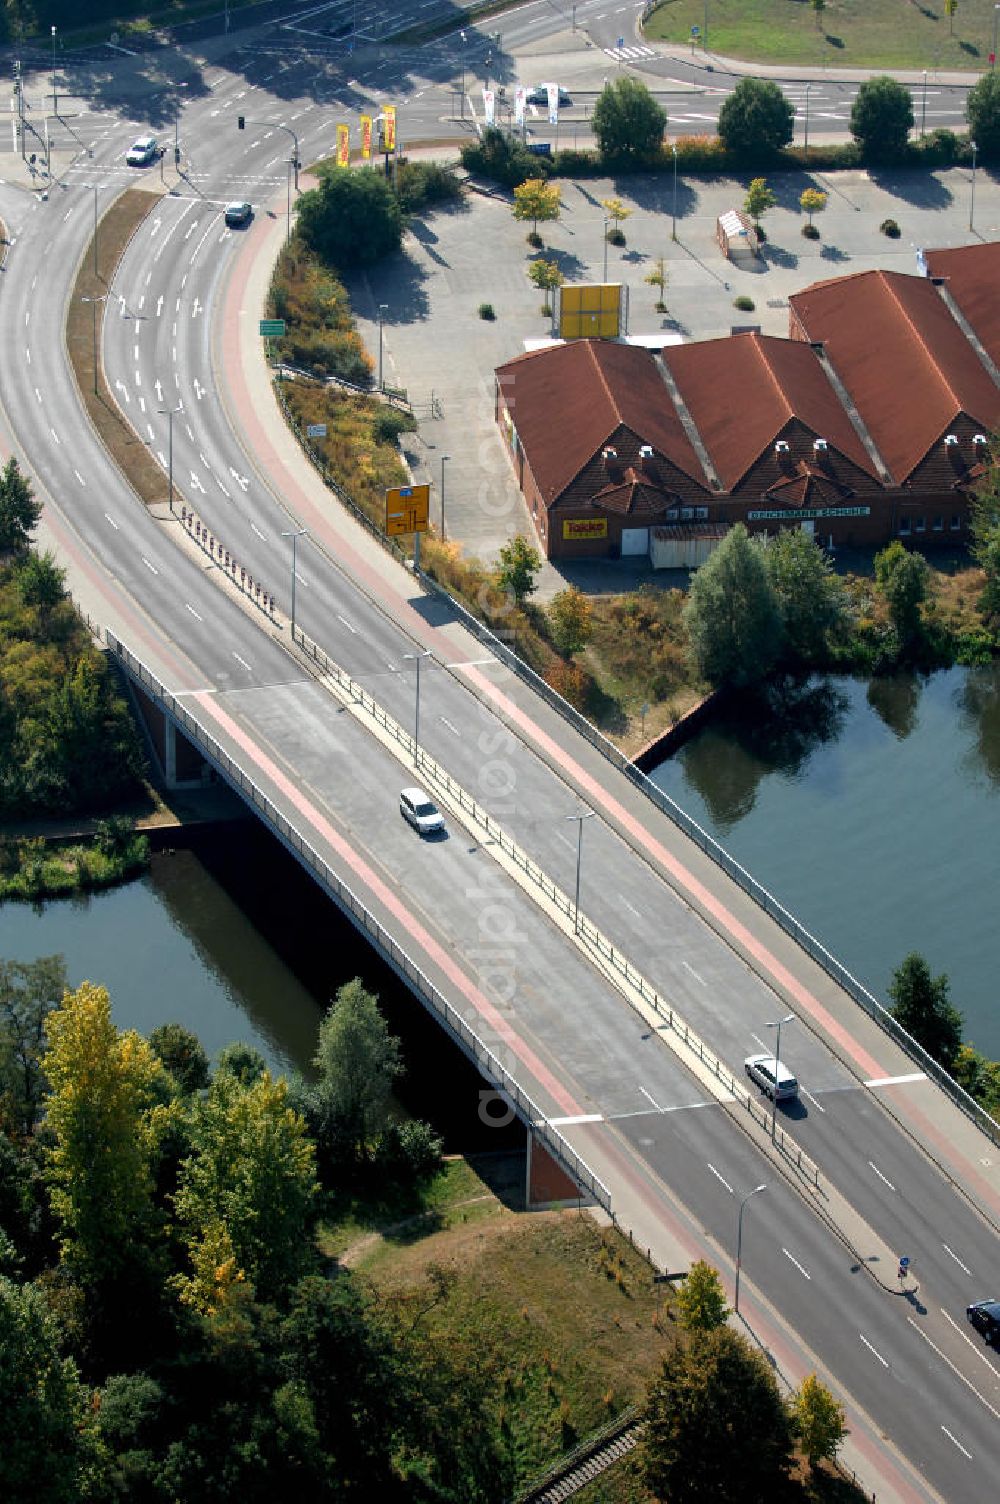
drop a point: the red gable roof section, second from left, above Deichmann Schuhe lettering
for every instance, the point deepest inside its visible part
(742, 393)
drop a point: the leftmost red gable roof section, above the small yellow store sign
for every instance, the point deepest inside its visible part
(568, 401)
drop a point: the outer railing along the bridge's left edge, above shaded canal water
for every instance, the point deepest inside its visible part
(350, 902)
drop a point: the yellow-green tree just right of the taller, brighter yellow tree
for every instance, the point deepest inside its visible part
(246, 1193)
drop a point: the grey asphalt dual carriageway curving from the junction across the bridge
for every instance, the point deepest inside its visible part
(911, 1365)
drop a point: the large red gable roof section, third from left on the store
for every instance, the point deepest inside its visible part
(903, 359)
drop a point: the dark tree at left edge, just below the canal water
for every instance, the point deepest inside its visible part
(29, 990)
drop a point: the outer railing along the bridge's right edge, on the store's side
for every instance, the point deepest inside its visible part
(718, 854)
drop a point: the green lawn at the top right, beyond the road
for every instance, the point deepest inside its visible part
(846, 34)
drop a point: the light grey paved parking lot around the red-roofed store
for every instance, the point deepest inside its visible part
(437, 347)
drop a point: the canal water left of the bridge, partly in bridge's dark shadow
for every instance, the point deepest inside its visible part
(231, 939)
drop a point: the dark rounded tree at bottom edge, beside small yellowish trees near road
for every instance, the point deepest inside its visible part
(717, 1428)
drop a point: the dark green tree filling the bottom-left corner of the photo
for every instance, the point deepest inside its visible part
(47, 1421)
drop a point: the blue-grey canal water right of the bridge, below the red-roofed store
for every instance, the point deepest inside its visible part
(873, 813)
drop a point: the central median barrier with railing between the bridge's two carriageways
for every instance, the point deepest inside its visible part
(584, 927)
